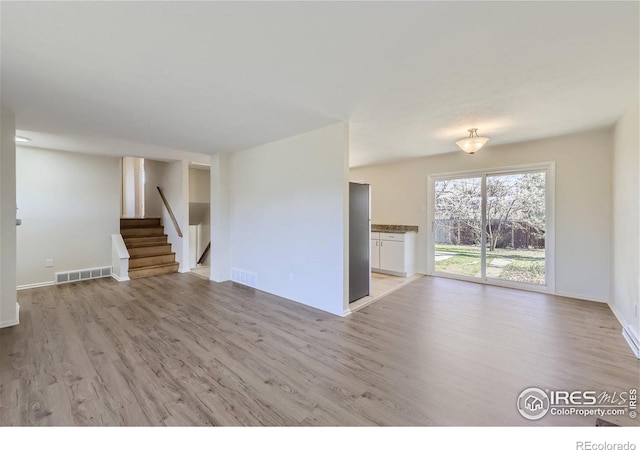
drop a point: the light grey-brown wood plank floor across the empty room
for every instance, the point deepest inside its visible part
(180, 350)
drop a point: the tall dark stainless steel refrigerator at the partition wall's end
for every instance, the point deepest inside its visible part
(359, 241)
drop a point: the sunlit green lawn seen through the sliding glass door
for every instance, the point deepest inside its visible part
(527, 265)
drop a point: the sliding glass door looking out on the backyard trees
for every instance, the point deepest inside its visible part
(493, 226)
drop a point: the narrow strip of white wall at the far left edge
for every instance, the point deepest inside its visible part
(8, 299)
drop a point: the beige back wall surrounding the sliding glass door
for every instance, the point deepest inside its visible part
(583, 198)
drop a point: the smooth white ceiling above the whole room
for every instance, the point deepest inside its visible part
(156, 78)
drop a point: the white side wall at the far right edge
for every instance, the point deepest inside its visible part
(625, 269)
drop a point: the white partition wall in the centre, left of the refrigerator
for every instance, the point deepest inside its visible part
(287, 216)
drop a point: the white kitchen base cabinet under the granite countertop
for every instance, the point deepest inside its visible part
(393, 253)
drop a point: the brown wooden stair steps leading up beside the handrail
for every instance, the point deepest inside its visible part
(150, 253)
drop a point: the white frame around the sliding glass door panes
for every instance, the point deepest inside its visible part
(550, 263)
